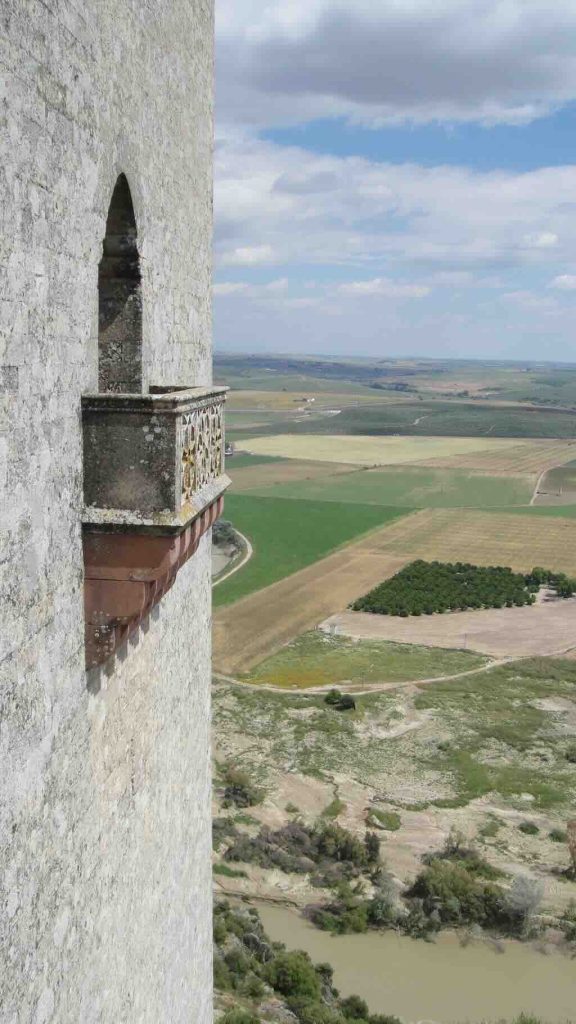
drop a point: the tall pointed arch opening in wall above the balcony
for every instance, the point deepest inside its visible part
(120, 306)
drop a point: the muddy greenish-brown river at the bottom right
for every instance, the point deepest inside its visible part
(441, 983)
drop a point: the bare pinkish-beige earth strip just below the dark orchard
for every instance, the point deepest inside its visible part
(549, 628)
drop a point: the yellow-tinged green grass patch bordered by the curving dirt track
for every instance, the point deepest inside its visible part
(318, 660)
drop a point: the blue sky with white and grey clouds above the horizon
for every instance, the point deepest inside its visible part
(396, 179)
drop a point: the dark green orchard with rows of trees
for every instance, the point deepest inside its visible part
(425, 588)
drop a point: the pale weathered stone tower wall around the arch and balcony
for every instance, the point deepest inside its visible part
(105, 829)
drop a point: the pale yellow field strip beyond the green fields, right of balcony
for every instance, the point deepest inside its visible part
(365, 451)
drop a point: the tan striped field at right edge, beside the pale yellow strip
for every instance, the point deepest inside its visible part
(522, 459)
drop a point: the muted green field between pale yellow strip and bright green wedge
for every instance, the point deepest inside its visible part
(418, 488)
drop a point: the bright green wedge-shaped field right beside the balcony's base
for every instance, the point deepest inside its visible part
(289, 535)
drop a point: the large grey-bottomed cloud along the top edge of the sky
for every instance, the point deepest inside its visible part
(484, 61)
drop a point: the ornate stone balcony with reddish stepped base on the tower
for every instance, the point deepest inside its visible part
(154, 484)
